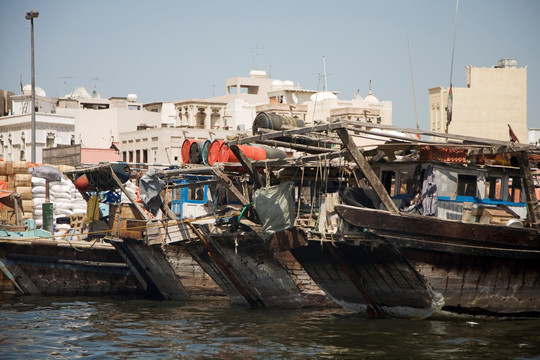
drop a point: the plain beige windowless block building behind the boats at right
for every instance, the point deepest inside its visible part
(492, 99)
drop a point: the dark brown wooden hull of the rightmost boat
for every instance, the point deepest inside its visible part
(478, 268)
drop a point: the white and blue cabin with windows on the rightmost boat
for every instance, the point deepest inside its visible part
(457, 185)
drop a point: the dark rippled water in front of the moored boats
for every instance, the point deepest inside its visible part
(131, 328)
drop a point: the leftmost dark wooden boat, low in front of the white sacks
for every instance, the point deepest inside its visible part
(34, 262)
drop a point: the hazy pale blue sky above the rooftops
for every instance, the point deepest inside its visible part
(172, 50)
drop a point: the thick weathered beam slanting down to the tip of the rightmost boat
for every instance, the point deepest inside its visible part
(363, 164)
